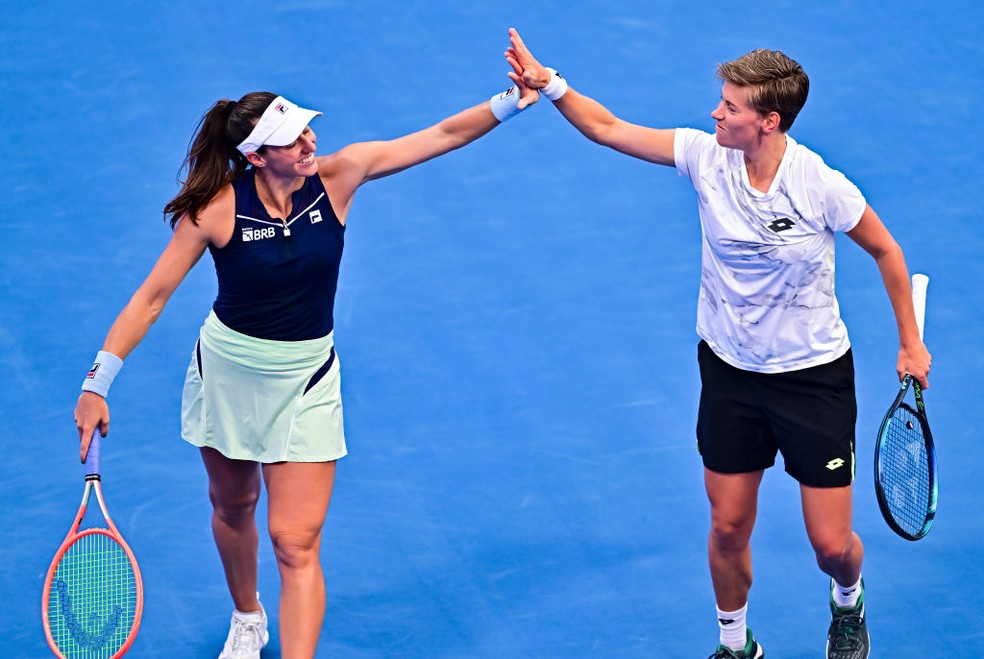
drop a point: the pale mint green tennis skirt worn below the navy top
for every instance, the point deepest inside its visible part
(261, 400)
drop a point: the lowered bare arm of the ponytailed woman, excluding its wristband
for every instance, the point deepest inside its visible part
(184, 250)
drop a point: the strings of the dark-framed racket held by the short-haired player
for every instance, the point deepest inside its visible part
(905, 471)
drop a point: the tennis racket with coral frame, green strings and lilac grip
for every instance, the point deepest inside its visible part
(93, 594)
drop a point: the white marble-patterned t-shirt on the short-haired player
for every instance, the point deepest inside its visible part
(767, 299)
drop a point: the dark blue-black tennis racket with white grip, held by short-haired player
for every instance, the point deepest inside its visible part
(905, 456)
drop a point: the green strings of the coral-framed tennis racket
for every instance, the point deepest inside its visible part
(93, 598)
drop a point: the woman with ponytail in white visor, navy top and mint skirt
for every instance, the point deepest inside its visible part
(261, 396)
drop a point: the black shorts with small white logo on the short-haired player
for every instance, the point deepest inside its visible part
(808, 415)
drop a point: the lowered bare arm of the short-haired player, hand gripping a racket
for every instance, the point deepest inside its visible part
(872, 235)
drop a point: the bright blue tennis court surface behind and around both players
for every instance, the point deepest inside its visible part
(515, 320)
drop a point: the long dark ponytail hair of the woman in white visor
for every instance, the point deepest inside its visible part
(213, 159)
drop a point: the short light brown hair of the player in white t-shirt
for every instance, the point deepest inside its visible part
(775, 83)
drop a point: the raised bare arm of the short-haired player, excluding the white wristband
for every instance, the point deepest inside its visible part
(590, 117)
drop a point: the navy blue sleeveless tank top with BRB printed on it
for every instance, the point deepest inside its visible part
(278, 278)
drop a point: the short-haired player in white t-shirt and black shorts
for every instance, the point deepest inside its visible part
(777, 374)
